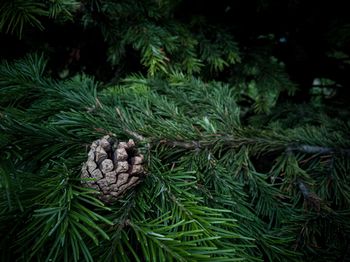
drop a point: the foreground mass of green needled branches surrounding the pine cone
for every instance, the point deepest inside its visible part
(205, 197)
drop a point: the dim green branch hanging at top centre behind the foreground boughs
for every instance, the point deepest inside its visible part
(162, 48)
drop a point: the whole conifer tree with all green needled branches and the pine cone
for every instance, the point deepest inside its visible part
(223, 162)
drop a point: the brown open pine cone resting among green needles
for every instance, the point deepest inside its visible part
(112, 168)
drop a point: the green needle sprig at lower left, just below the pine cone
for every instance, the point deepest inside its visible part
(60, 219)
